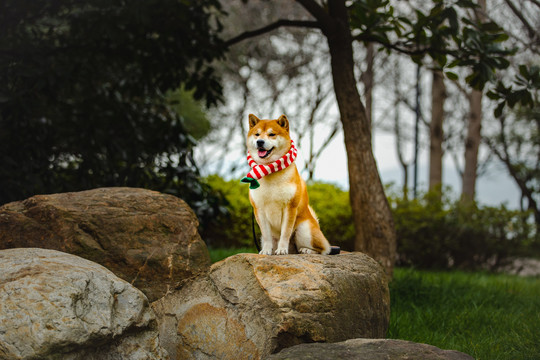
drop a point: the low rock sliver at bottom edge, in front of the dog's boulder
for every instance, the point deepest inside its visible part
(368, 349)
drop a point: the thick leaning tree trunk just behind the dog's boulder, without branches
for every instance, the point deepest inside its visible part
(372, 216)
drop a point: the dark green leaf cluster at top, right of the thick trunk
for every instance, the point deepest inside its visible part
(443, 33)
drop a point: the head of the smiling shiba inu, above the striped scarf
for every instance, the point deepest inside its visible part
(268, 140)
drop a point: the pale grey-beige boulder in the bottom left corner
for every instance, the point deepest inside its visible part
(55, 305)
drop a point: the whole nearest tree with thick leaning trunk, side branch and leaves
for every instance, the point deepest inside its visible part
(438, 34)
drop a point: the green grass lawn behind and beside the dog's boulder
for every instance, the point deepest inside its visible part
(487, 316)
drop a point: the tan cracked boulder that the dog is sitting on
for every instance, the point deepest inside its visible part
(249, 306)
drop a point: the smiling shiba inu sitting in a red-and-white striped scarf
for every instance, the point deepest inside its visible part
(278, 193)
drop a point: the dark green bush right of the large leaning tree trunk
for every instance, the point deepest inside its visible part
(442, 234)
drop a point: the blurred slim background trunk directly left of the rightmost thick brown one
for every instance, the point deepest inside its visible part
(438, 97)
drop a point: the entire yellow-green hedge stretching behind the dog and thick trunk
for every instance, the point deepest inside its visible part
(431, 233)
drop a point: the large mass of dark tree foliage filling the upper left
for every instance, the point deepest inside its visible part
(83, 93)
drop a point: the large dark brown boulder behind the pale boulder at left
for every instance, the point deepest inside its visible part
(147, 238)
